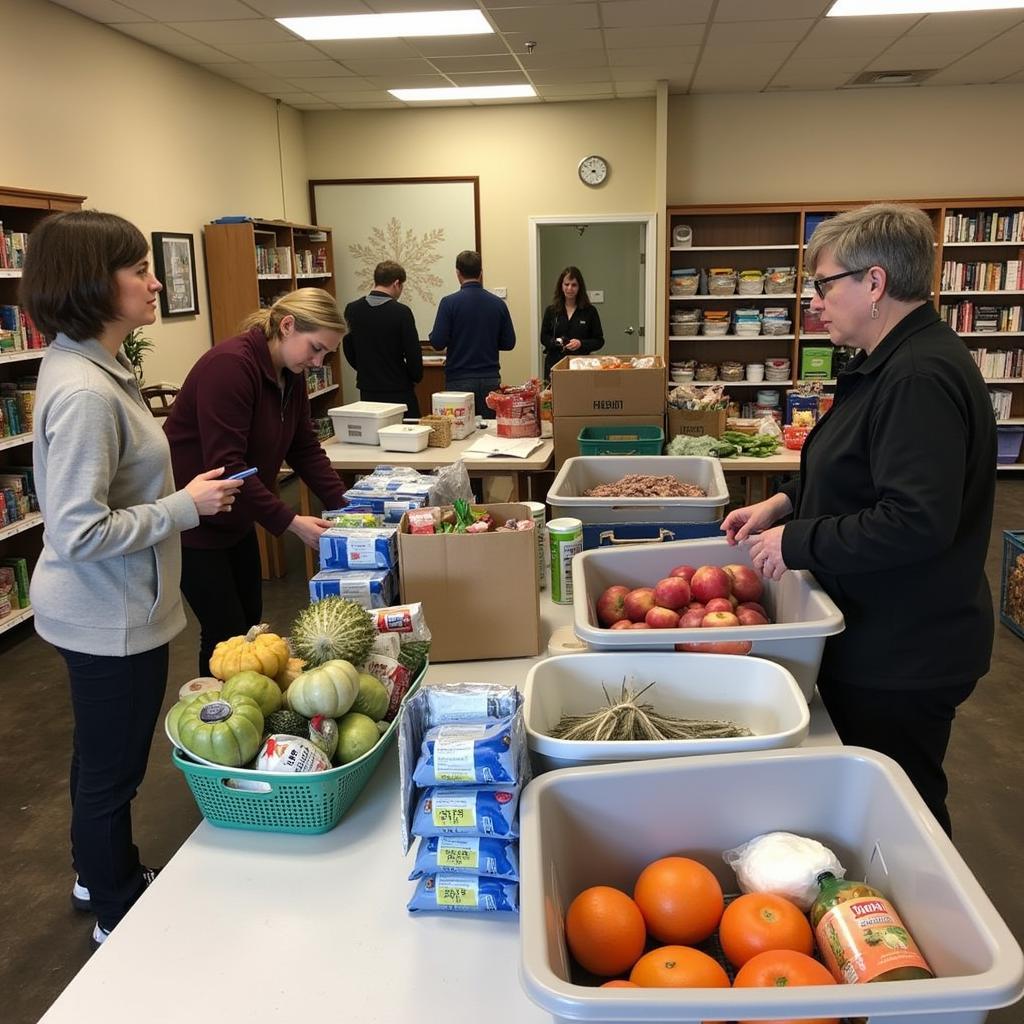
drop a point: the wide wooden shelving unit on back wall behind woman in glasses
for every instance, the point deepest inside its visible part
(748, 237)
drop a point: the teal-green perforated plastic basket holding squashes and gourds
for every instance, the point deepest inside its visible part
(306, 804)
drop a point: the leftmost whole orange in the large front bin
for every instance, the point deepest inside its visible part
(605, 930)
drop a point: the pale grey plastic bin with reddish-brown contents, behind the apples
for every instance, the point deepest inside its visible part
(567, 496)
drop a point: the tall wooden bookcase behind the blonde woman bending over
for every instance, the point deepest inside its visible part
(251, 265)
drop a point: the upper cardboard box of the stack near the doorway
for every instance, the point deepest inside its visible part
(604, 393)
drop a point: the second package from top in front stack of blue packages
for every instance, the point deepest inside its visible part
(487, 754)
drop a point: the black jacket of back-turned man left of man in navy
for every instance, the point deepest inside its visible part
(382, 346)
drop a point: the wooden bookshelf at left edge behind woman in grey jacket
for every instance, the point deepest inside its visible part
(21, 210)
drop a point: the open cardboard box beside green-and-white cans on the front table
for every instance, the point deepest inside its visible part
(480, 591)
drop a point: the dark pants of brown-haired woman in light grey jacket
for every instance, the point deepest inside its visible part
(116, 703)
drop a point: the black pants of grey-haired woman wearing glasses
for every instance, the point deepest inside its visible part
(911, 727)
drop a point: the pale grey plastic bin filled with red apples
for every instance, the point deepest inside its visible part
(802, 614)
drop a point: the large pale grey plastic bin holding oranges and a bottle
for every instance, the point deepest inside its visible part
(602, 826)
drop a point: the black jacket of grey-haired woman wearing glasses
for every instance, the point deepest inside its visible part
(893, 511)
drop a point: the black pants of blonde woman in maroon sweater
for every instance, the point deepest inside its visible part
(225, 589)
